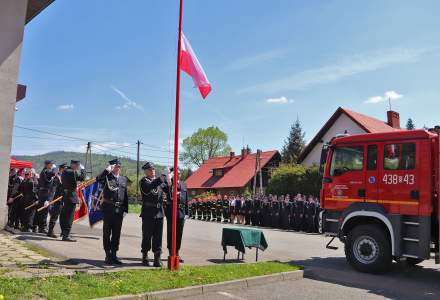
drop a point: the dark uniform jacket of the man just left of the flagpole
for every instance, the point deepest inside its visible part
(152, 197)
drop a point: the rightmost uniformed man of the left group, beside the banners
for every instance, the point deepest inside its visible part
(69, 181)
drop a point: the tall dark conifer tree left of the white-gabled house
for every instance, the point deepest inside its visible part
(294, 144)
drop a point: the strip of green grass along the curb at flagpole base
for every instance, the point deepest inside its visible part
(87, 286)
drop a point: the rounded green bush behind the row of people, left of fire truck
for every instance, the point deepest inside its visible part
(294, 179)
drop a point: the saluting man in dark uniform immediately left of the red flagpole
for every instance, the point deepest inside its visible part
(152, 213)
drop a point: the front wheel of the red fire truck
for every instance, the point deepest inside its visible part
(368, 249)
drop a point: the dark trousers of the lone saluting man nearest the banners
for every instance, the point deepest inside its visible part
(112, 225)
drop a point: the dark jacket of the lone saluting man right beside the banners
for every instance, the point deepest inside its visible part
(114, 192)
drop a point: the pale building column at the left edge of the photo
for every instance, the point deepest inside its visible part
(12, 22)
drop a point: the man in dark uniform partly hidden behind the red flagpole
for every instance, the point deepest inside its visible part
(182, 213)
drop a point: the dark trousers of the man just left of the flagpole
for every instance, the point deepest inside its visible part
(152, 230)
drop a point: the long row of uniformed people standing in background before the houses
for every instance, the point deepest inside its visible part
(300, 213)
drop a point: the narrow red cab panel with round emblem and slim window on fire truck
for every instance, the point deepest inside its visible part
(372, 174)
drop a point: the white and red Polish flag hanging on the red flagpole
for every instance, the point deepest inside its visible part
(191, 66)
